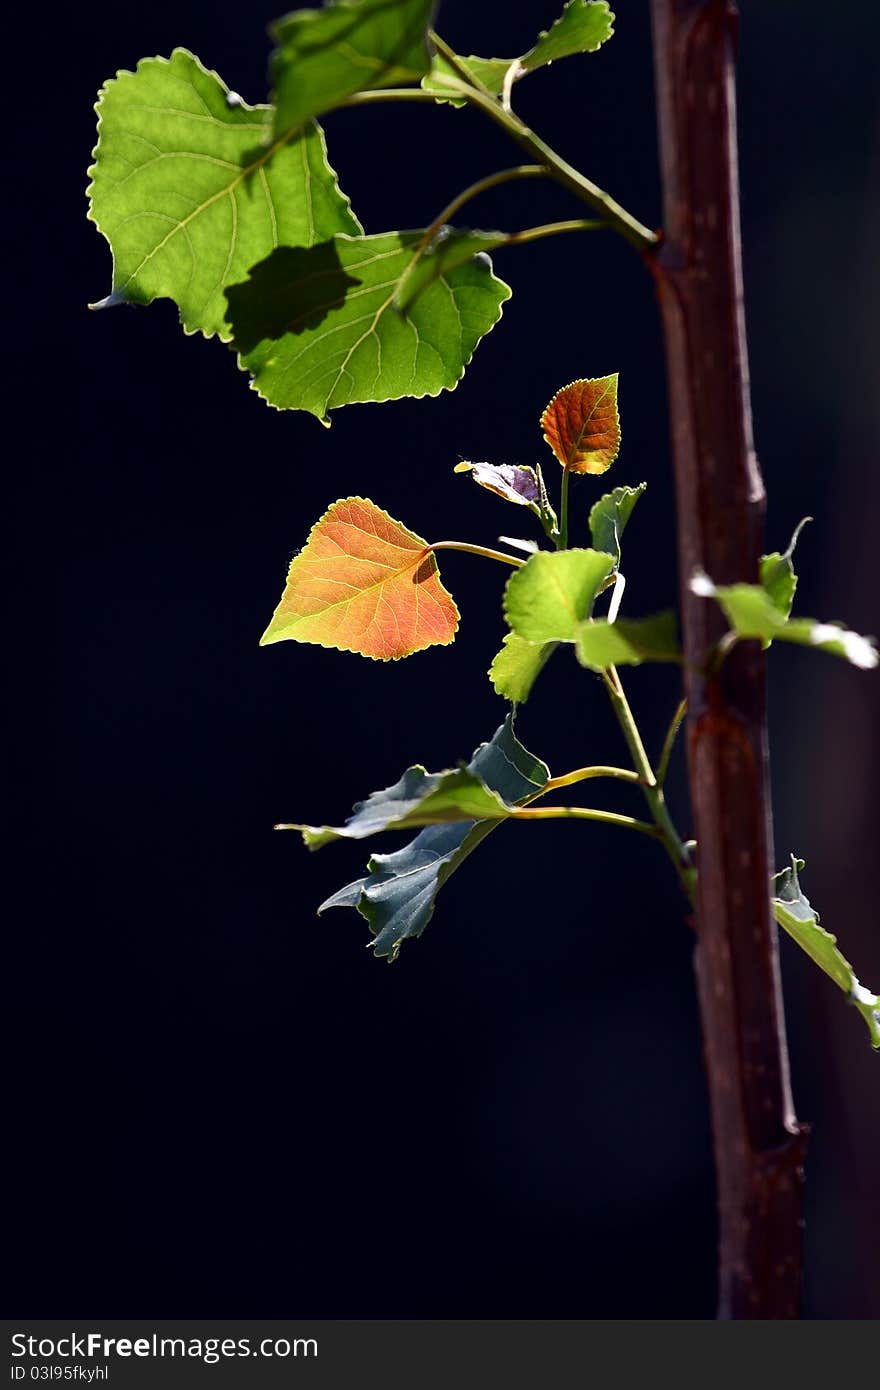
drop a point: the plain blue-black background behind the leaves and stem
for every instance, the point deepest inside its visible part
(218, 1104)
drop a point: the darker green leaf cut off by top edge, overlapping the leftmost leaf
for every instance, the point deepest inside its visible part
(326, 56)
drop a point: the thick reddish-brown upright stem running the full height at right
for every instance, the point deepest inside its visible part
(721, 505)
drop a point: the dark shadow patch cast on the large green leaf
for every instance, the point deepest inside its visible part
(290, 293)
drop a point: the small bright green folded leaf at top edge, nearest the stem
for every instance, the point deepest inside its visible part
(583, 27)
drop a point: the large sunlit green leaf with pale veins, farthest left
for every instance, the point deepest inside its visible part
(190, 194)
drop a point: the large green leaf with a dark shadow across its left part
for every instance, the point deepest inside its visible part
(318, 327)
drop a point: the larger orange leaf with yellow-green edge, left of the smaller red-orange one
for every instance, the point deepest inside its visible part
(366, 584)
